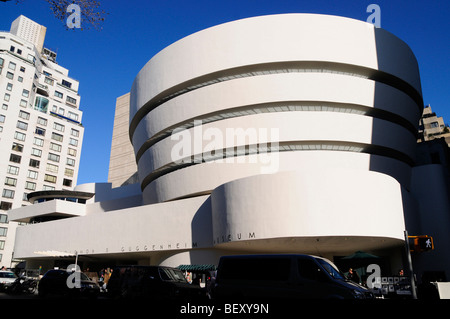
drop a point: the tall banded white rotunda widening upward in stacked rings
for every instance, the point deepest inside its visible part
(312, 82)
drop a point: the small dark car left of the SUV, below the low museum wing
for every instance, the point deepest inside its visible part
(55, 282)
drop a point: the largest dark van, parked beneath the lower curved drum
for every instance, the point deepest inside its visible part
(284, 276)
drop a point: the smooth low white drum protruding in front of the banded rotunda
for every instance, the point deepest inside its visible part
(314, 212)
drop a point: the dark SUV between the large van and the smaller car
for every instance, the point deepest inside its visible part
(151, 282)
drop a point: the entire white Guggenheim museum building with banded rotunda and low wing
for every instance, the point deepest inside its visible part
(282, 133)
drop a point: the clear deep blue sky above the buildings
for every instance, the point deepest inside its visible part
(107, 61)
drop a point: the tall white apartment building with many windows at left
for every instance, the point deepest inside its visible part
(40, 124)
